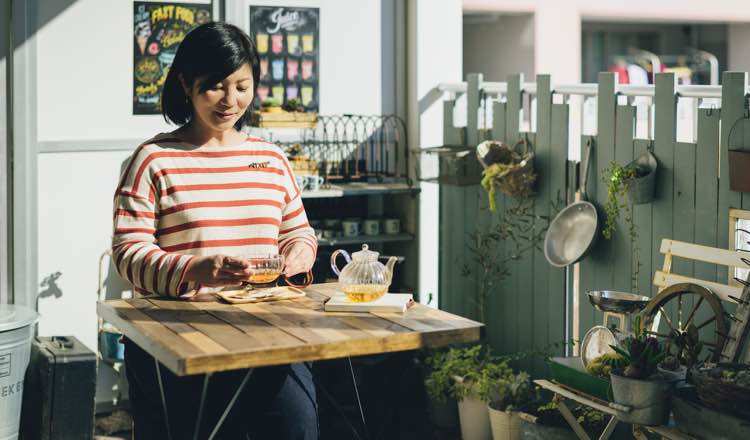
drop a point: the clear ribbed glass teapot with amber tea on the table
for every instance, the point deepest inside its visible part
(363, 278)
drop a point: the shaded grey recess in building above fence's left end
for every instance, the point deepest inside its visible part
(498, 45)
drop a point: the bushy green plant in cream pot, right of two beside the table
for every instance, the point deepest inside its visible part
(505, 393)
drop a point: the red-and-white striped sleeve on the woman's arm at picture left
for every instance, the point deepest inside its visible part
(137, 256)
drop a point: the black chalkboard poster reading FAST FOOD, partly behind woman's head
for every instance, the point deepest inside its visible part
(158, 30)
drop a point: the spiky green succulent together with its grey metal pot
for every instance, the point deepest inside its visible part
(638, 385)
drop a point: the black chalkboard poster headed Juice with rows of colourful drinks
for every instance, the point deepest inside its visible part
(288, 43)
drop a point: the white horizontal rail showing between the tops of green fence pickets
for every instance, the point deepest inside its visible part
(588, 89)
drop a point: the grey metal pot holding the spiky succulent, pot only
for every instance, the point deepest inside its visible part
(648, 399)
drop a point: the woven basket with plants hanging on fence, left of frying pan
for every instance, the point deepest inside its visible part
(508, 170)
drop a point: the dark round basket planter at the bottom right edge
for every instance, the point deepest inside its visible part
(716, 393)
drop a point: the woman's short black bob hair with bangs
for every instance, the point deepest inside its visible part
(208, 54)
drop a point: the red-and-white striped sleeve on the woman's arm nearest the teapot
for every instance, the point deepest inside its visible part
(294, 225)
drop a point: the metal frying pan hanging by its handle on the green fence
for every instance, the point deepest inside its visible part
(572, 233)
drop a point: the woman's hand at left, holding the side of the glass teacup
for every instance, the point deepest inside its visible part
(217, 271)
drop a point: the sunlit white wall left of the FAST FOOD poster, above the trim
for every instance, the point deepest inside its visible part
(85, 75)
